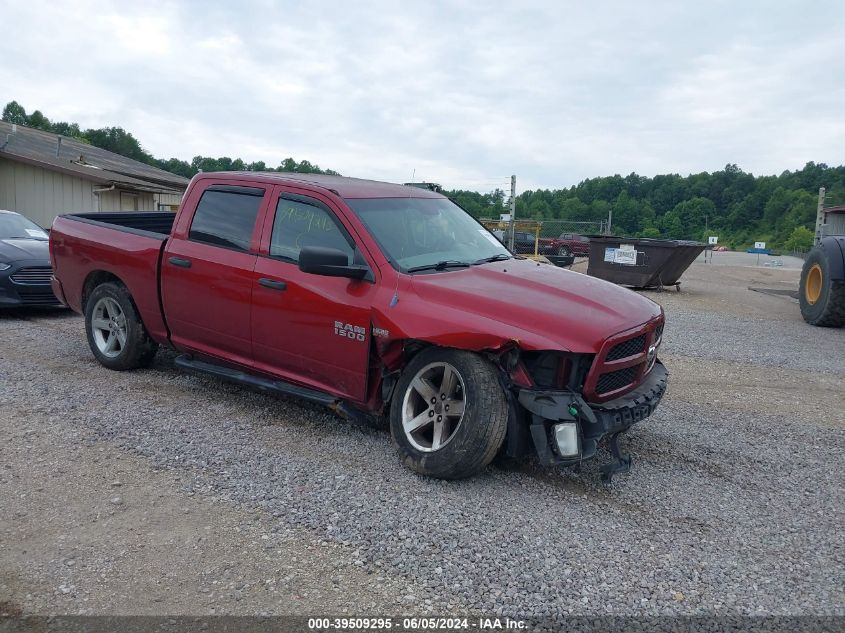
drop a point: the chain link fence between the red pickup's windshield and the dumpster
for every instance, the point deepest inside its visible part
(542, 238)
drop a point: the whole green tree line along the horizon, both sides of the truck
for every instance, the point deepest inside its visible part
(735, 205)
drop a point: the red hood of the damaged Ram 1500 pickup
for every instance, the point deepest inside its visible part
(576, 311)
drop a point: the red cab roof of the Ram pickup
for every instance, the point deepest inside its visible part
(341, 185)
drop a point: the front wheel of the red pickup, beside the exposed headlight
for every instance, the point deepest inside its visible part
(448, 414)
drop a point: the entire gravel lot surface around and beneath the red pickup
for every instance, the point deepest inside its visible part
(160, 492)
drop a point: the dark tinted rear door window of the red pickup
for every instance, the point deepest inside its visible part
(226, 217)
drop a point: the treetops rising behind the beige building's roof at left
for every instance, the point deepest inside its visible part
(119, 141)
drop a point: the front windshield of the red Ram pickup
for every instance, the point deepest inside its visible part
(416, 233)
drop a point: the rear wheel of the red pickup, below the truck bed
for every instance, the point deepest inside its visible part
(116, 335)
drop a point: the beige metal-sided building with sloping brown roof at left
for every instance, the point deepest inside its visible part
(43, 175)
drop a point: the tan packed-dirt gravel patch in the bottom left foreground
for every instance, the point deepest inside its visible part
(125, 536)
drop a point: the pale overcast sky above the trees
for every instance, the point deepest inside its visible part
(454, 92)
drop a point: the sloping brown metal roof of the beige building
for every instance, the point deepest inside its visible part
(70, 156)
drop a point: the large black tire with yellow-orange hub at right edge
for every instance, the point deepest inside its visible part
(821, 298)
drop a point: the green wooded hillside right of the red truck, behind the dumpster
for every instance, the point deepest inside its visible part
(736, 206)
